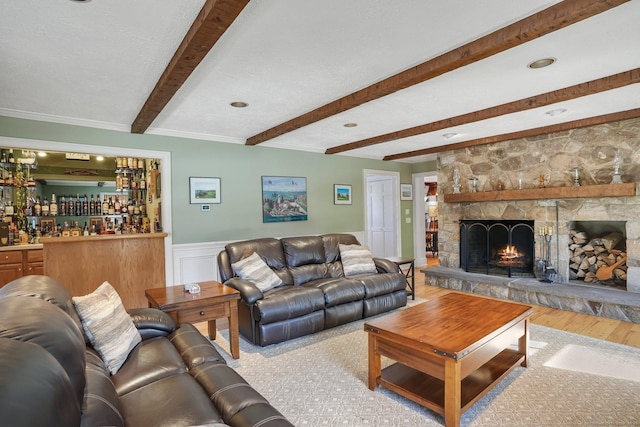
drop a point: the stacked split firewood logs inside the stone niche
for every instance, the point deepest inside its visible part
(587, 255)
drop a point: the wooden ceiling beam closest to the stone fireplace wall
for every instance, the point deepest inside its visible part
(560, 127)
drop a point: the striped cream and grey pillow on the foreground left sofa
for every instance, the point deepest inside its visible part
(107, 324)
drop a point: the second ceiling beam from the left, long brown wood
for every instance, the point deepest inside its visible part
(556, 17)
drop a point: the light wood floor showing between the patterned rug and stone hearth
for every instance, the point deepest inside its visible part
(593, 326)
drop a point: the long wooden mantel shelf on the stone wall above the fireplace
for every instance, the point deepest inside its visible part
(587, 191)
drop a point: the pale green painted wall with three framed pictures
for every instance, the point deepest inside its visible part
(240, 168)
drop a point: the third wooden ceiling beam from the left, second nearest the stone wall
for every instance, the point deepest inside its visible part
(572, 92)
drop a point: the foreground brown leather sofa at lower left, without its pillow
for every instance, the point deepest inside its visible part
(49, 376)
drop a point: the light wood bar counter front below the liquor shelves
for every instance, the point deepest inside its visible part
(130, 262)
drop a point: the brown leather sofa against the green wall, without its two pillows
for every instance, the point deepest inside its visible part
(315, 294)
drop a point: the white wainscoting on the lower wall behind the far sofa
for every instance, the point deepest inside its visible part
(197, 262)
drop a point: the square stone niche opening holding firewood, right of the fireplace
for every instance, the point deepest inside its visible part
(598, 253)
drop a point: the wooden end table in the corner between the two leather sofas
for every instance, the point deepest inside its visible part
(214, 301)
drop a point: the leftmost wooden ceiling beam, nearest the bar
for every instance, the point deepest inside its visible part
(212, 21)
